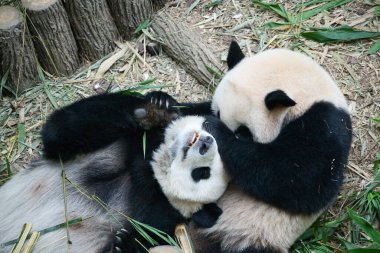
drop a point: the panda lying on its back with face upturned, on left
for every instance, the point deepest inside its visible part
(180, 173)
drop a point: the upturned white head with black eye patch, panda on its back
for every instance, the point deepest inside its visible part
(188, 166)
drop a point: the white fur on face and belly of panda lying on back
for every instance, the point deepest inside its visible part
(35, 195)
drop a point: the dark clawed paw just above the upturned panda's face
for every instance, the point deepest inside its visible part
(158, 111)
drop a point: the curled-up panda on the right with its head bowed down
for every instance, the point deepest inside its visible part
(285, 142)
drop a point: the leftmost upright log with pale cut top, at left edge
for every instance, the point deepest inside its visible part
(16, 54)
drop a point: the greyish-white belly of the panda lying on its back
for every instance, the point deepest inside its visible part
(35, 196)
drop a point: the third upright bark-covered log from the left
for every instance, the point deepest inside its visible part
(93, 27)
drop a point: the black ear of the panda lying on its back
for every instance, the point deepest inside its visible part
(207, 216)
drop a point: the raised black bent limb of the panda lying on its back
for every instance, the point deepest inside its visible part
(88, 125)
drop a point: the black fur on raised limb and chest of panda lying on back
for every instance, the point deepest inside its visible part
(96, 122)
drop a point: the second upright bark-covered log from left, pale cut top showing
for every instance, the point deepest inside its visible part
(53, 39)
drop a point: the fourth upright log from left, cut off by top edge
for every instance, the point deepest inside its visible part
(128, 15)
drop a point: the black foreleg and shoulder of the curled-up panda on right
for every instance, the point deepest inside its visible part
(300, 171)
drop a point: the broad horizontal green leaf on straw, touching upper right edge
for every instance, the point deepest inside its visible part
(344, 33)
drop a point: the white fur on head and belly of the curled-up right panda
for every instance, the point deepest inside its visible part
(240, 100)
